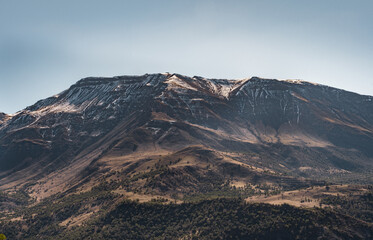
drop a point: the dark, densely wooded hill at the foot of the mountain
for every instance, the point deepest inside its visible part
(218, 219)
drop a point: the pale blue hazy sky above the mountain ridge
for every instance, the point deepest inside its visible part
(48, 45)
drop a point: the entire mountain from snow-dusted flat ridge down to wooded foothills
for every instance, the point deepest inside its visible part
(143, 157)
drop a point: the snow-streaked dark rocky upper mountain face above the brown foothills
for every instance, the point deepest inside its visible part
(293, 127)
